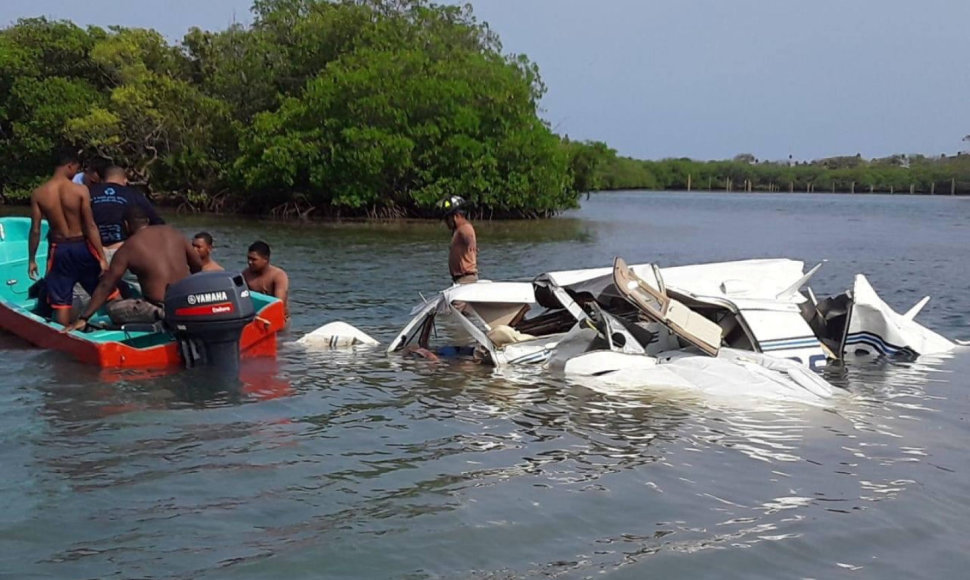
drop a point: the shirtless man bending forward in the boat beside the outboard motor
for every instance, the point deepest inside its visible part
(158, 255)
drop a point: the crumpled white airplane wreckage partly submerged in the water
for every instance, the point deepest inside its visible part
(725, 327)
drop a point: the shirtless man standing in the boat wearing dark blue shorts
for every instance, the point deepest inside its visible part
(75, 254)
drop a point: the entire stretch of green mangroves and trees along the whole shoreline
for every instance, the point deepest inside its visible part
(348, 109)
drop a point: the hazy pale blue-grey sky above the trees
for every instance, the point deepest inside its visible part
(706, 79)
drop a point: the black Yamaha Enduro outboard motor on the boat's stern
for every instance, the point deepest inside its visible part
(207, 312)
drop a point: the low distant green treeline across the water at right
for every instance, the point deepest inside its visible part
(895, 174)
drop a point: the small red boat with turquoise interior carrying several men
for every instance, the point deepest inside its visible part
(103, 344)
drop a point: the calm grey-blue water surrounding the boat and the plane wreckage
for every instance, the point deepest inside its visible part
(357, 465)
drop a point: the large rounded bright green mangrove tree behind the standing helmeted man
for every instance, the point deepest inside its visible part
(408, 104)
